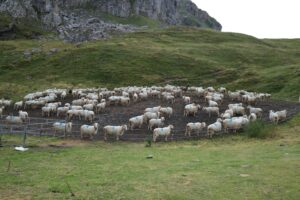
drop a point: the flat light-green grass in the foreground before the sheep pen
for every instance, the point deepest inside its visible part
(231, 167)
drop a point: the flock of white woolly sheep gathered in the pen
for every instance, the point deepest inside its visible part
(90, 101)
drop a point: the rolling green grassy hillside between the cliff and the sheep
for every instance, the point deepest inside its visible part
(175, 55)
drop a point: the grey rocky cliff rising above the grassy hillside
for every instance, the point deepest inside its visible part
(79, 20)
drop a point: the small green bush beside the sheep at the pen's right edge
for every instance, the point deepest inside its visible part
(259, 129)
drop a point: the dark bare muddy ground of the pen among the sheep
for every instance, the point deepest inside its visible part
(118, 115)
